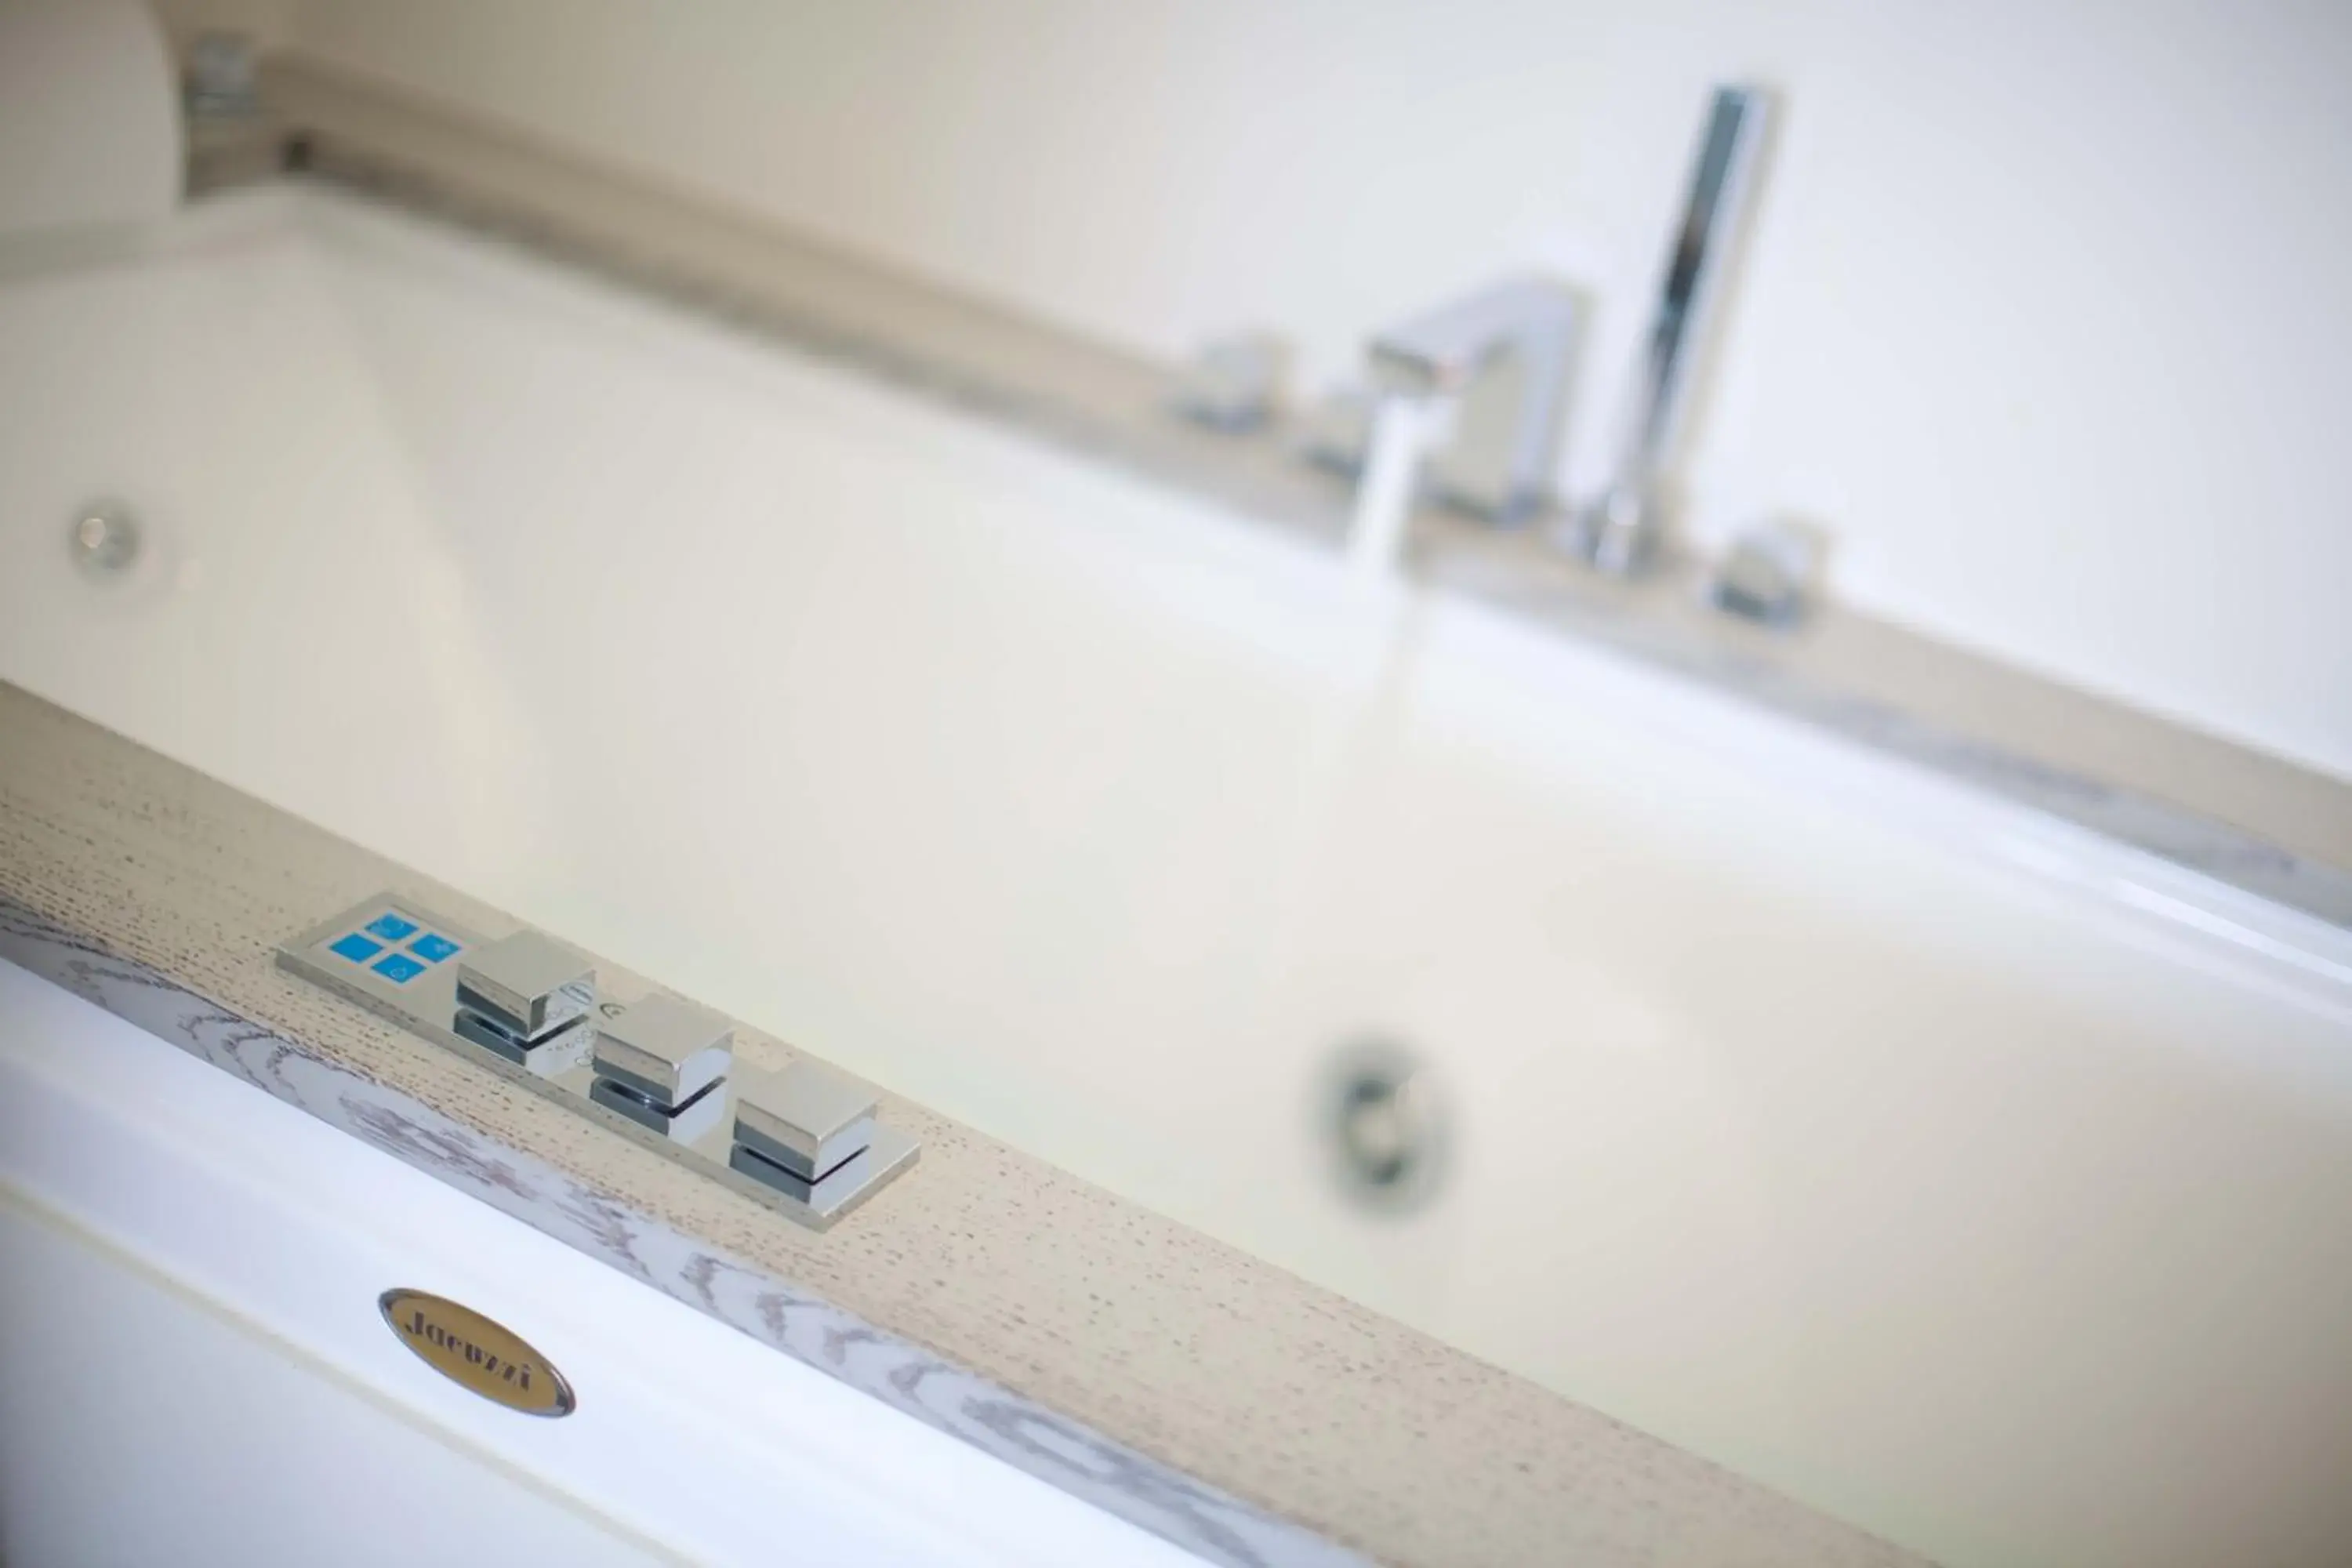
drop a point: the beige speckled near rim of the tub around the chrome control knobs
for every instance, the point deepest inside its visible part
(1128, 1360)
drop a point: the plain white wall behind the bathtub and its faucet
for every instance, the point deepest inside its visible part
(2045, 319)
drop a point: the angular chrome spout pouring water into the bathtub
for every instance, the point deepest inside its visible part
(1506, 354)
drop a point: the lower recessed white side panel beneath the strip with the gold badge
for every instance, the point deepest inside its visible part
(140, 1428)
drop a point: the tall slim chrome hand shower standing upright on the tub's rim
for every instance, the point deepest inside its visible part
(1622, 530)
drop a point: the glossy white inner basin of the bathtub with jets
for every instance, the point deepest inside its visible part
(1946, 1167)
